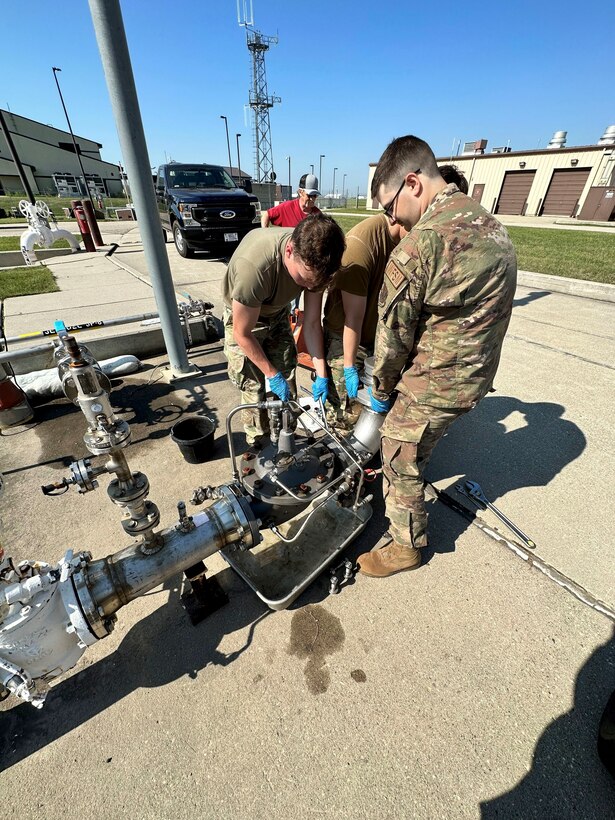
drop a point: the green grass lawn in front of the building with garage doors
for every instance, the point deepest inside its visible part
(576, 254)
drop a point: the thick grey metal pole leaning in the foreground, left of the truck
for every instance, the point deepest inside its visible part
(111, 39)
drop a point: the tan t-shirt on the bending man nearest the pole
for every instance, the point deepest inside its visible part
(256, 275)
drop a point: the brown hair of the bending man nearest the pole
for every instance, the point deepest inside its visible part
(319, 242)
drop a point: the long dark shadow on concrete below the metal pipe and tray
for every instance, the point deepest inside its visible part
(157, 650)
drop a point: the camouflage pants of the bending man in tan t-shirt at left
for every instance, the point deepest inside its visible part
(275, 337)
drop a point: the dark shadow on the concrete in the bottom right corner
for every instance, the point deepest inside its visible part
(567, 779)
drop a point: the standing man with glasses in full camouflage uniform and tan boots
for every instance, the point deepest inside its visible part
(444, 309)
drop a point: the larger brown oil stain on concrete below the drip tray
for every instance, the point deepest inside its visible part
(314, 634)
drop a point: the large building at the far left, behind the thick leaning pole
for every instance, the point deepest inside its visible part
(50, 163)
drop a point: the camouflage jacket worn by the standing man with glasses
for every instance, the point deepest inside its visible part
(445, 305)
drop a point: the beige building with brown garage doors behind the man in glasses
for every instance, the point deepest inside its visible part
(560, 181)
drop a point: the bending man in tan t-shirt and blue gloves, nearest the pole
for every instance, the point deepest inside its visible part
(267, 271)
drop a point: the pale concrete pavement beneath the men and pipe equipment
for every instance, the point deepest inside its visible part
(471, 688)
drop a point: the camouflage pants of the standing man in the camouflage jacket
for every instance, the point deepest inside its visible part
(409, 435)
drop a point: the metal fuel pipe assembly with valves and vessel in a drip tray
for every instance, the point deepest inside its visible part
(287, 512)
